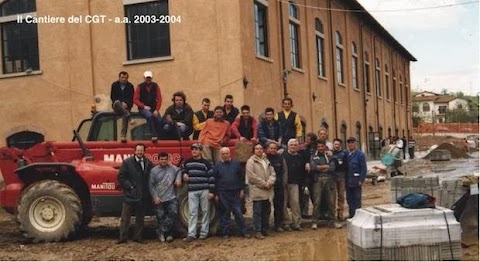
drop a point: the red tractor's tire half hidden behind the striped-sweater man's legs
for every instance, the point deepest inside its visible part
(183, 213)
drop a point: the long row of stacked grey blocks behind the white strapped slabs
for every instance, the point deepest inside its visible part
(446, 195)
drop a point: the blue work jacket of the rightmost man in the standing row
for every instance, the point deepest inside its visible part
(357, 168)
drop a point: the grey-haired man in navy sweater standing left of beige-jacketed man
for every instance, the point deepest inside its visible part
(229, 185)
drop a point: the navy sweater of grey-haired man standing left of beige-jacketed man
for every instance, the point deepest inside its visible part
(228, 176)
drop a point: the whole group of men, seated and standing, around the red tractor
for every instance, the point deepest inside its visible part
(279, 172)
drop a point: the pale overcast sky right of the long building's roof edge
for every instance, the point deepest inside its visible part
(445, 41)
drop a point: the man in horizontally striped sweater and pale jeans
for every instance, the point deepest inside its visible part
(198, 175)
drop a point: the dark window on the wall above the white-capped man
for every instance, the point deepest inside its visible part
(147, 40)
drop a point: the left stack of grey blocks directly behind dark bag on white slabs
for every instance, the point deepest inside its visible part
(401, 185)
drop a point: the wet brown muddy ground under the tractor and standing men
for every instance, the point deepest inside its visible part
(99, 244)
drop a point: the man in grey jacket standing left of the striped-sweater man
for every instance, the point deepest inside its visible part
(161, 184)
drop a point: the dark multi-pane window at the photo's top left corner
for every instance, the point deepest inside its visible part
(19, 40)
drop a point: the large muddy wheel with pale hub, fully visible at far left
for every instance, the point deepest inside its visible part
(49, 211)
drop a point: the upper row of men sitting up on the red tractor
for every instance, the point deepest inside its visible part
(180, 121)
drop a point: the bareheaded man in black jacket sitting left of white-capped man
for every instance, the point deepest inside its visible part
(122, 100)
